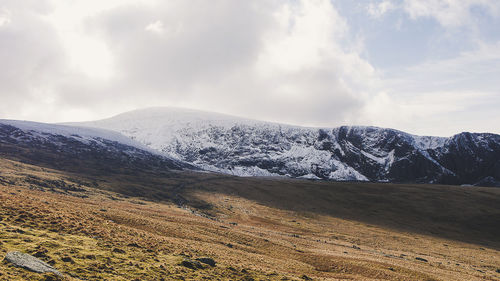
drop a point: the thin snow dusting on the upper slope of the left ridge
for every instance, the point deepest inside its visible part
(85, 142)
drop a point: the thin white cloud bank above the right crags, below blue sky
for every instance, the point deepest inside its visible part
(446, 96)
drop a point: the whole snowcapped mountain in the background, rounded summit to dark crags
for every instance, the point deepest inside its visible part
(246, 147)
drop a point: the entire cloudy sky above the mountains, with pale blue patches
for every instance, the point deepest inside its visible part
(428, 67)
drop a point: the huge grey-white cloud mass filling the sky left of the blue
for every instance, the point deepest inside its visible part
(289, 61)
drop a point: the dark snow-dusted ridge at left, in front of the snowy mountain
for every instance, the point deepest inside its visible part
(98, 150)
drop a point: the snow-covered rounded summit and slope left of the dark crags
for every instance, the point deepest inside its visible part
(228, 144)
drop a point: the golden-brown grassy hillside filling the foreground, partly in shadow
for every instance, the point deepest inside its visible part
(144, 225)
